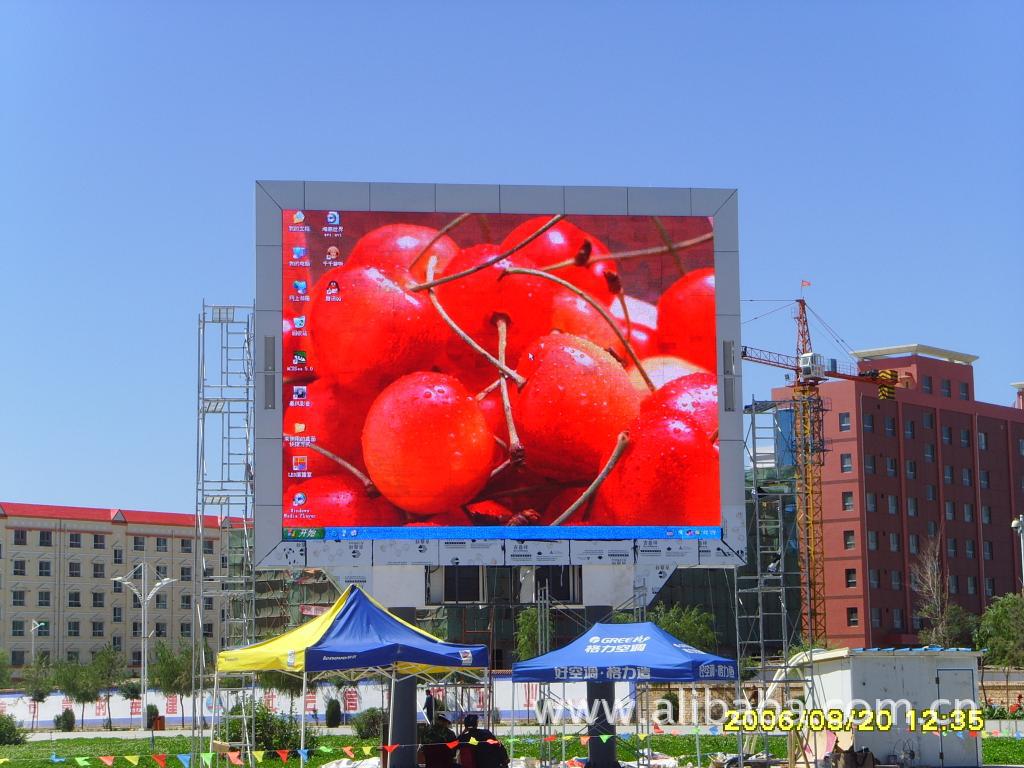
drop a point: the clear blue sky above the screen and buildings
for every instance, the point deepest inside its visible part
(877, 148)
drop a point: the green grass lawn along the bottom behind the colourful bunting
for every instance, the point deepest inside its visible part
(997, 751)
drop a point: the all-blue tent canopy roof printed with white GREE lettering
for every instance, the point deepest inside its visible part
(642, 653)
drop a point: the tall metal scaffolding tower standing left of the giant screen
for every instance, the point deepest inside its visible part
(225, 510)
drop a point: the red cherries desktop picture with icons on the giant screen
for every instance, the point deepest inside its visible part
(499, 370)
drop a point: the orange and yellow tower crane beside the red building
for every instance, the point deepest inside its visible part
(809, 371)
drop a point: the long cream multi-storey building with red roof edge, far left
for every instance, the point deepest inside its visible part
(57, 588)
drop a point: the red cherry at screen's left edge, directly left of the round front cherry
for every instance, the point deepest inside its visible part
(333, 420)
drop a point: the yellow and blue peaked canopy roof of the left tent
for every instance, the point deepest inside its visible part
(357, 633)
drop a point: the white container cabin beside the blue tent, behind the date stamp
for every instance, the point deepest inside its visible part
(899, 679)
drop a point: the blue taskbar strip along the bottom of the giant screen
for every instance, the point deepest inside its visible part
(504, 533)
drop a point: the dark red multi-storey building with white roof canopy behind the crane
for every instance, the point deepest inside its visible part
(932, 462)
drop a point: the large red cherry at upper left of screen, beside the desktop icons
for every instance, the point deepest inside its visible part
(367, 329)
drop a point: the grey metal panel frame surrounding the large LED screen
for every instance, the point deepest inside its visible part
(272, 198)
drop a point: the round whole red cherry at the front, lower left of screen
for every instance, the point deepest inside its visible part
(426, 444)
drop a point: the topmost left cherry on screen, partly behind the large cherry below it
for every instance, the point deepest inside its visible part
(394, 248)
